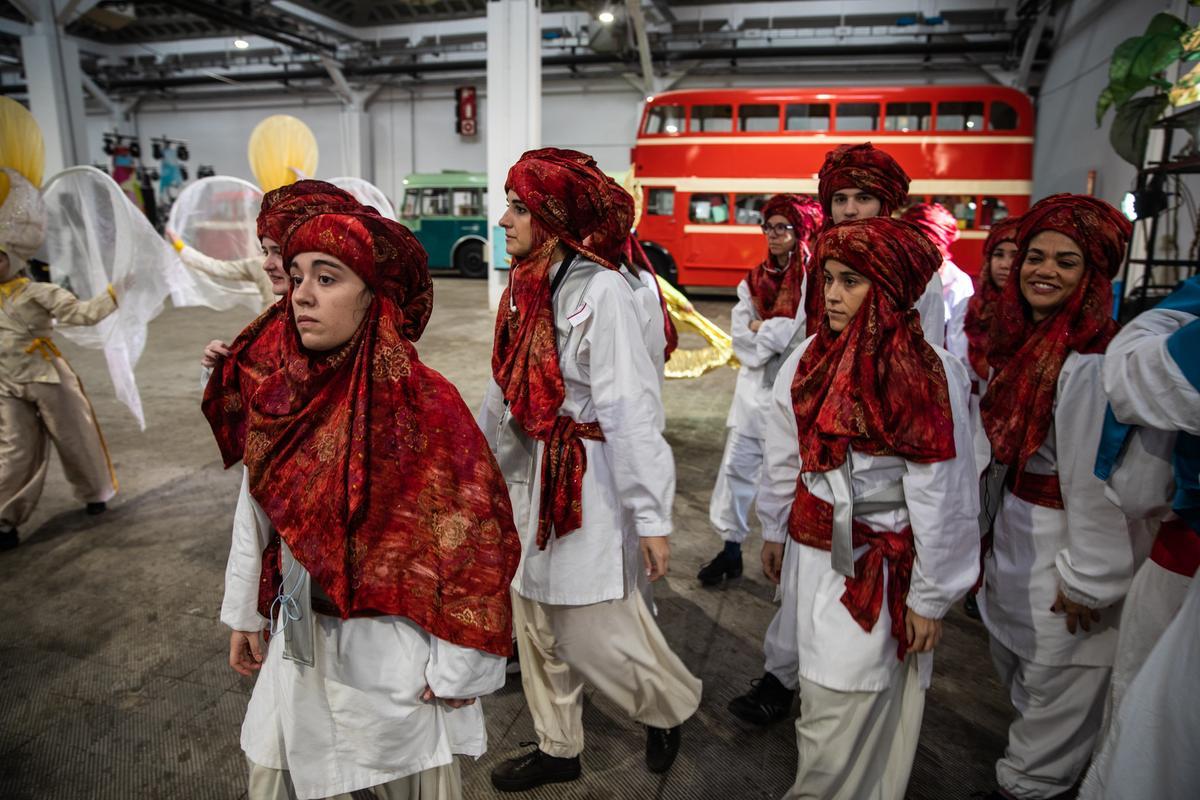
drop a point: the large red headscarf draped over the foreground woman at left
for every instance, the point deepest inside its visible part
(368, 462)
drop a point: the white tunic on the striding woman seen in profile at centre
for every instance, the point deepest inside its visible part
(629, 484)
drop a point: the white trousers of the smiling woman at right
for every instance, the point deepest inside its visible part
(1059, 715)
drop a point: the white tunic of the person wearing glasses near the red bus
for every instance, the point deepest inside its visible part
(752, 396)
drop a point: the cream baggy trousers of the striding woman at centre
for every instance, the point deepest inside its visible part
(617, 647)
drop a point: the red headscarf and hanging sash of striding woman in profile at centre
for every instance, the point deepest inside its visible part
(572, 204)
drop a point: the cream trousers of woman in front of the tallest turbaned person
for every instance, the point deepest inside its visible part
(859, 745)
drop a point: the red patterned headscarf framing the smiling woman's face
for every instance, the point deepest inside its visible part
(1028, 357)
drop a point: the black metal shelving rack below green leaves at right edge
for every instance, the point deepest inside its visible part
(1151, 287)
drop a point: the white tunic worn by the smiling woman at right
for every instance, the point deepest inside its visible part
(1087, 549)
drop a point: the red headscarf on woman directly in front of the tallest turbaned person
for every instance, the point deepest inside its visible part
(878, 387)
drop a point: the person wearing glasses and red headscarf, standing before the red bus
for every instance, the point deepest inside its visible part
(769, 323)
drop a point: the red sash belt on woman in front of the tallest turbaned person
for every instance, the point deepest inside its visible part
(812, 524)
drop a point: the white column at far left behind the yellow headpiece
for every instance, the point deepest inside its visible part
(56, 89)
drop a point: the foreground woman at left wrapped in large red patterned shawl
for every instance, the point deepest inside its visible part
(380, 543)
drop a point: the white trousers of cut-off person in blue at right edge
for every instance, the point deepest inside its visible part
(1150, 748)
